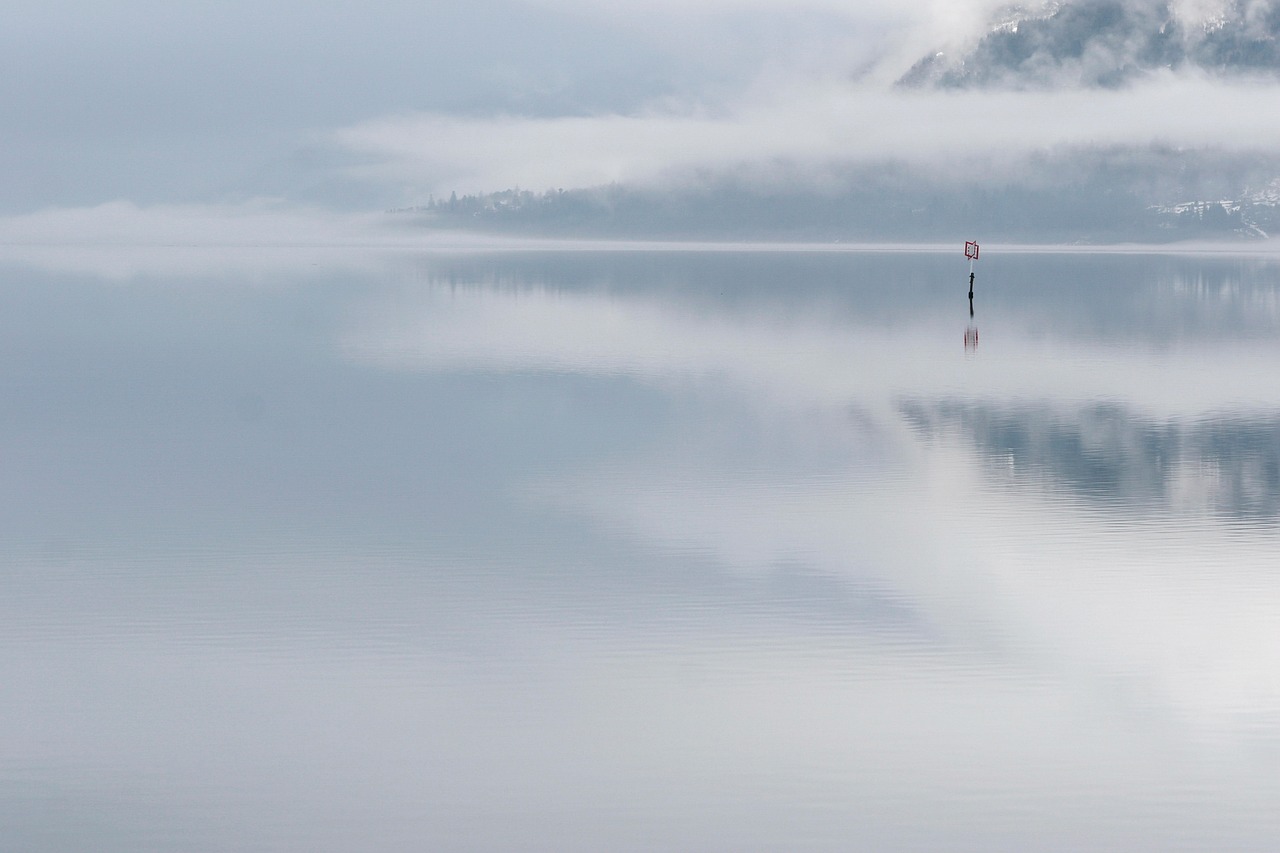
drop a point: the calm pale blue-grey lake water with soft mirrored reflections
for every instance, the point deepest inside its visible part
(564, 551)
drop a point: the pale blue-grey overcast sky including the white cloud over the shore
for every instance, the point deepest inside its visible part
(367, 106)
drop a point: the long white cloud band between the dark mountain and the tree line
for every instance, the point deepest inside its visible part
(808, 124)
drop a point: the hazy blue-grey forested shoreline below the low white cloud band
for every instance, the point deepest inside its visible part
(1099, 206)
